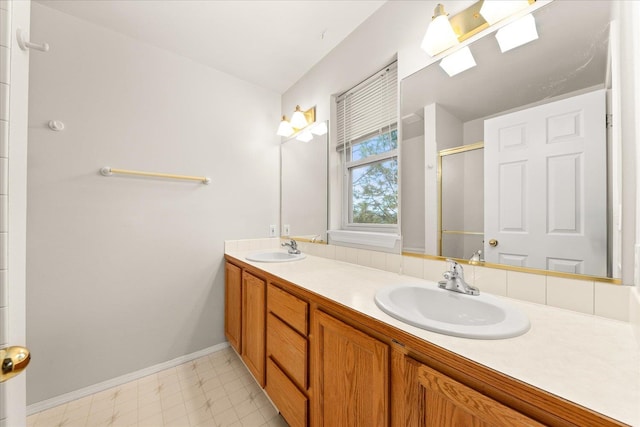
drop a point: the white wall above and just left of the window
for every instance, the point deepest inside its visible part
(395, 30)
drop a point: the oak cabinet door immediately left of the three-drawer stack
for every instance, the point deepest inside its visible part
(253, 324)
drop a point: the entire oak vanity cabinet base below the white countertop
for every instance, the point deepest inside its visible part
(324, 364)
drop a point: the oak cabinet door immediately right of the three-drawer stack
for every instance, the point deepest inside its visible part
(350, 378)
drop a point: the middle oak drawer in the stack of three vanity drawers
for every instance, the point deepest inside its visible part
(289, 349)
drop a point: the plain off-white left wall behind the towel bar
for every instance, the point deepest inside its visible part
(124, 273)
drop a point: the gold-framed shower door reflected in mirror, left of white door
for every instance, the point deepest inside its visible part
(460, 171)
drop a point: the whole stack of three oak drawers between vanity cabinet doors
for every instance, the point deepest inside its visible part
(287, 381)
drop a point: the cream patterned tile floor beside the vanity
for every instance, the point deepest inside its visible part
(212, 391)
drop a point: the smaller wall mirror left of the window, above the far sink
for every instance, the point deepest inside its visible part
(303, 181)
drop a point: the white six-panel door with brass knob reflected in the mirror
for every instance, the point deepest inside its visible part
(545, 186)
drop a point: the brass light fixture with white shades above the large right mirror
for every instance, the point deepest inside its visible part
(445, 32)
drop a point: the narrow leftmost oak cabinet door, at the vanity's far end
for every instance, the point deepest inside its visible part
(233, 306)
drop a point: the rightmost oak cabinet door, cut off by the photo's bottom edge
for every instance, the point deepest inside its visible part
(444, 402)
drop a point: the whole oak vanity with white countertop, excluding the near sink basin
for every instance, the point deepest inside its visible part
(326, 355)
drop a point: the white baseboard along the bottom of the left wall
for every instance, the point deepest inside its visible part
(114, 382)
